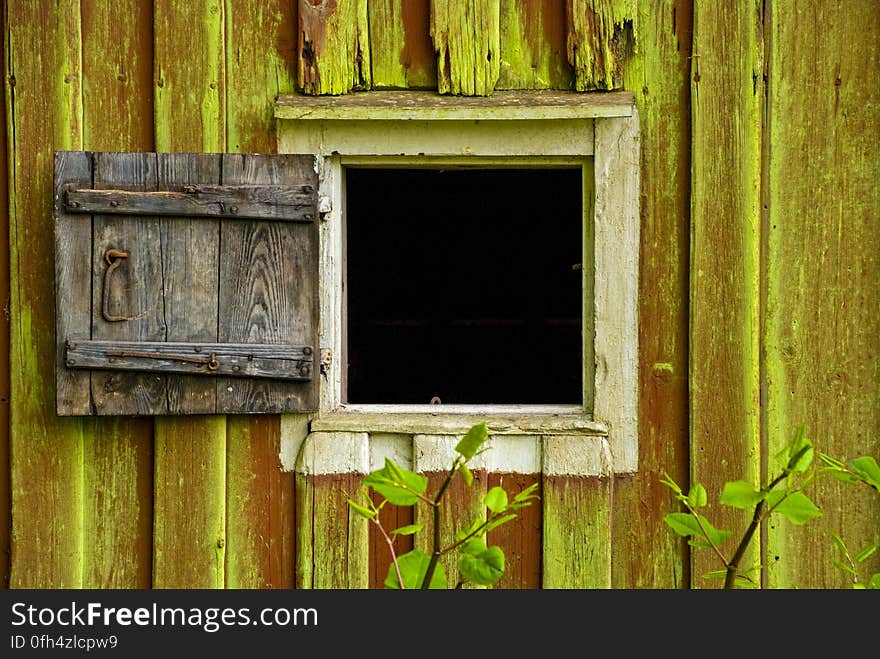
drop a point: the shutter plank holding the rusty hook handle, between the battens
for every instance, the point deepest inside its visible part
(135, 288)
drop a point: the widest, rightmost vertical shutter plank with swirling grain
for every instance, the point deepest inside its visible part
(268, 279)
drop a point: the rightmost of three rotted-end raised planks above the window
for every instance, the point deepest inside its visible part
(601, 35)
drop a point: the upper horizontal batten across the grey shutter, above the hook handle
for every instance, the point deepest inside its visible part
(269, 202)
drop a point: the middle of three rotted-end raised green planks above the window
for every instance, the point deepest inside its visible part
(467, 40)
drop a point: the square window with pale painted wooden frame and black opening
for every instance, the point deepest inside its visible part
(391, 166)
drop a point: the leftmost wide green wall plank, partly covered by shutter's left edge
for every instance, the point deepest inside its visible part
(44, 107)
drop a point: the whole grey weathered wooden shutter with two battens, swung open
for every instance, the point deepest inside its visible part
(185, 283)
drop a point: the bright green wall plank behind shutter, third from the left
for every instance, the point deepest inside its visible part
(190, 453)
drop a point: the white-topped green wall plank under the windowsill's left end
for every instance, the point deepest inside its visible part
(332, 542)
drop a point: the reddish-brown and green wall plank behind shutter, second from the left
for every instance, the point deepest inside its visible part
(118, 482)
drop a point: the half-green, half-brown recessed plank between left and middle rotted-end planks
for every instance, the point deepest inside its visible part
(401, 53)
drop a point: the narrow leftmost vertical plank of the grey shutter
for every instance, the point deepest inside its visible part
(73, 264)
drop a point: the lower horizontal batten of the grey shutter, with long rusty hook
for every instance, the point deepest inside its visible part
(283, 362)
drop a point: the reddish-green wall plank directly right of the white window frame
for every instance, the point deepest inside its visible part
(652, 556)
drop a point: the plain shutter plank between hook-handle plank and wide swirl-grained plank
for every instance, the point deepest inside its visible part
(189, 252)
